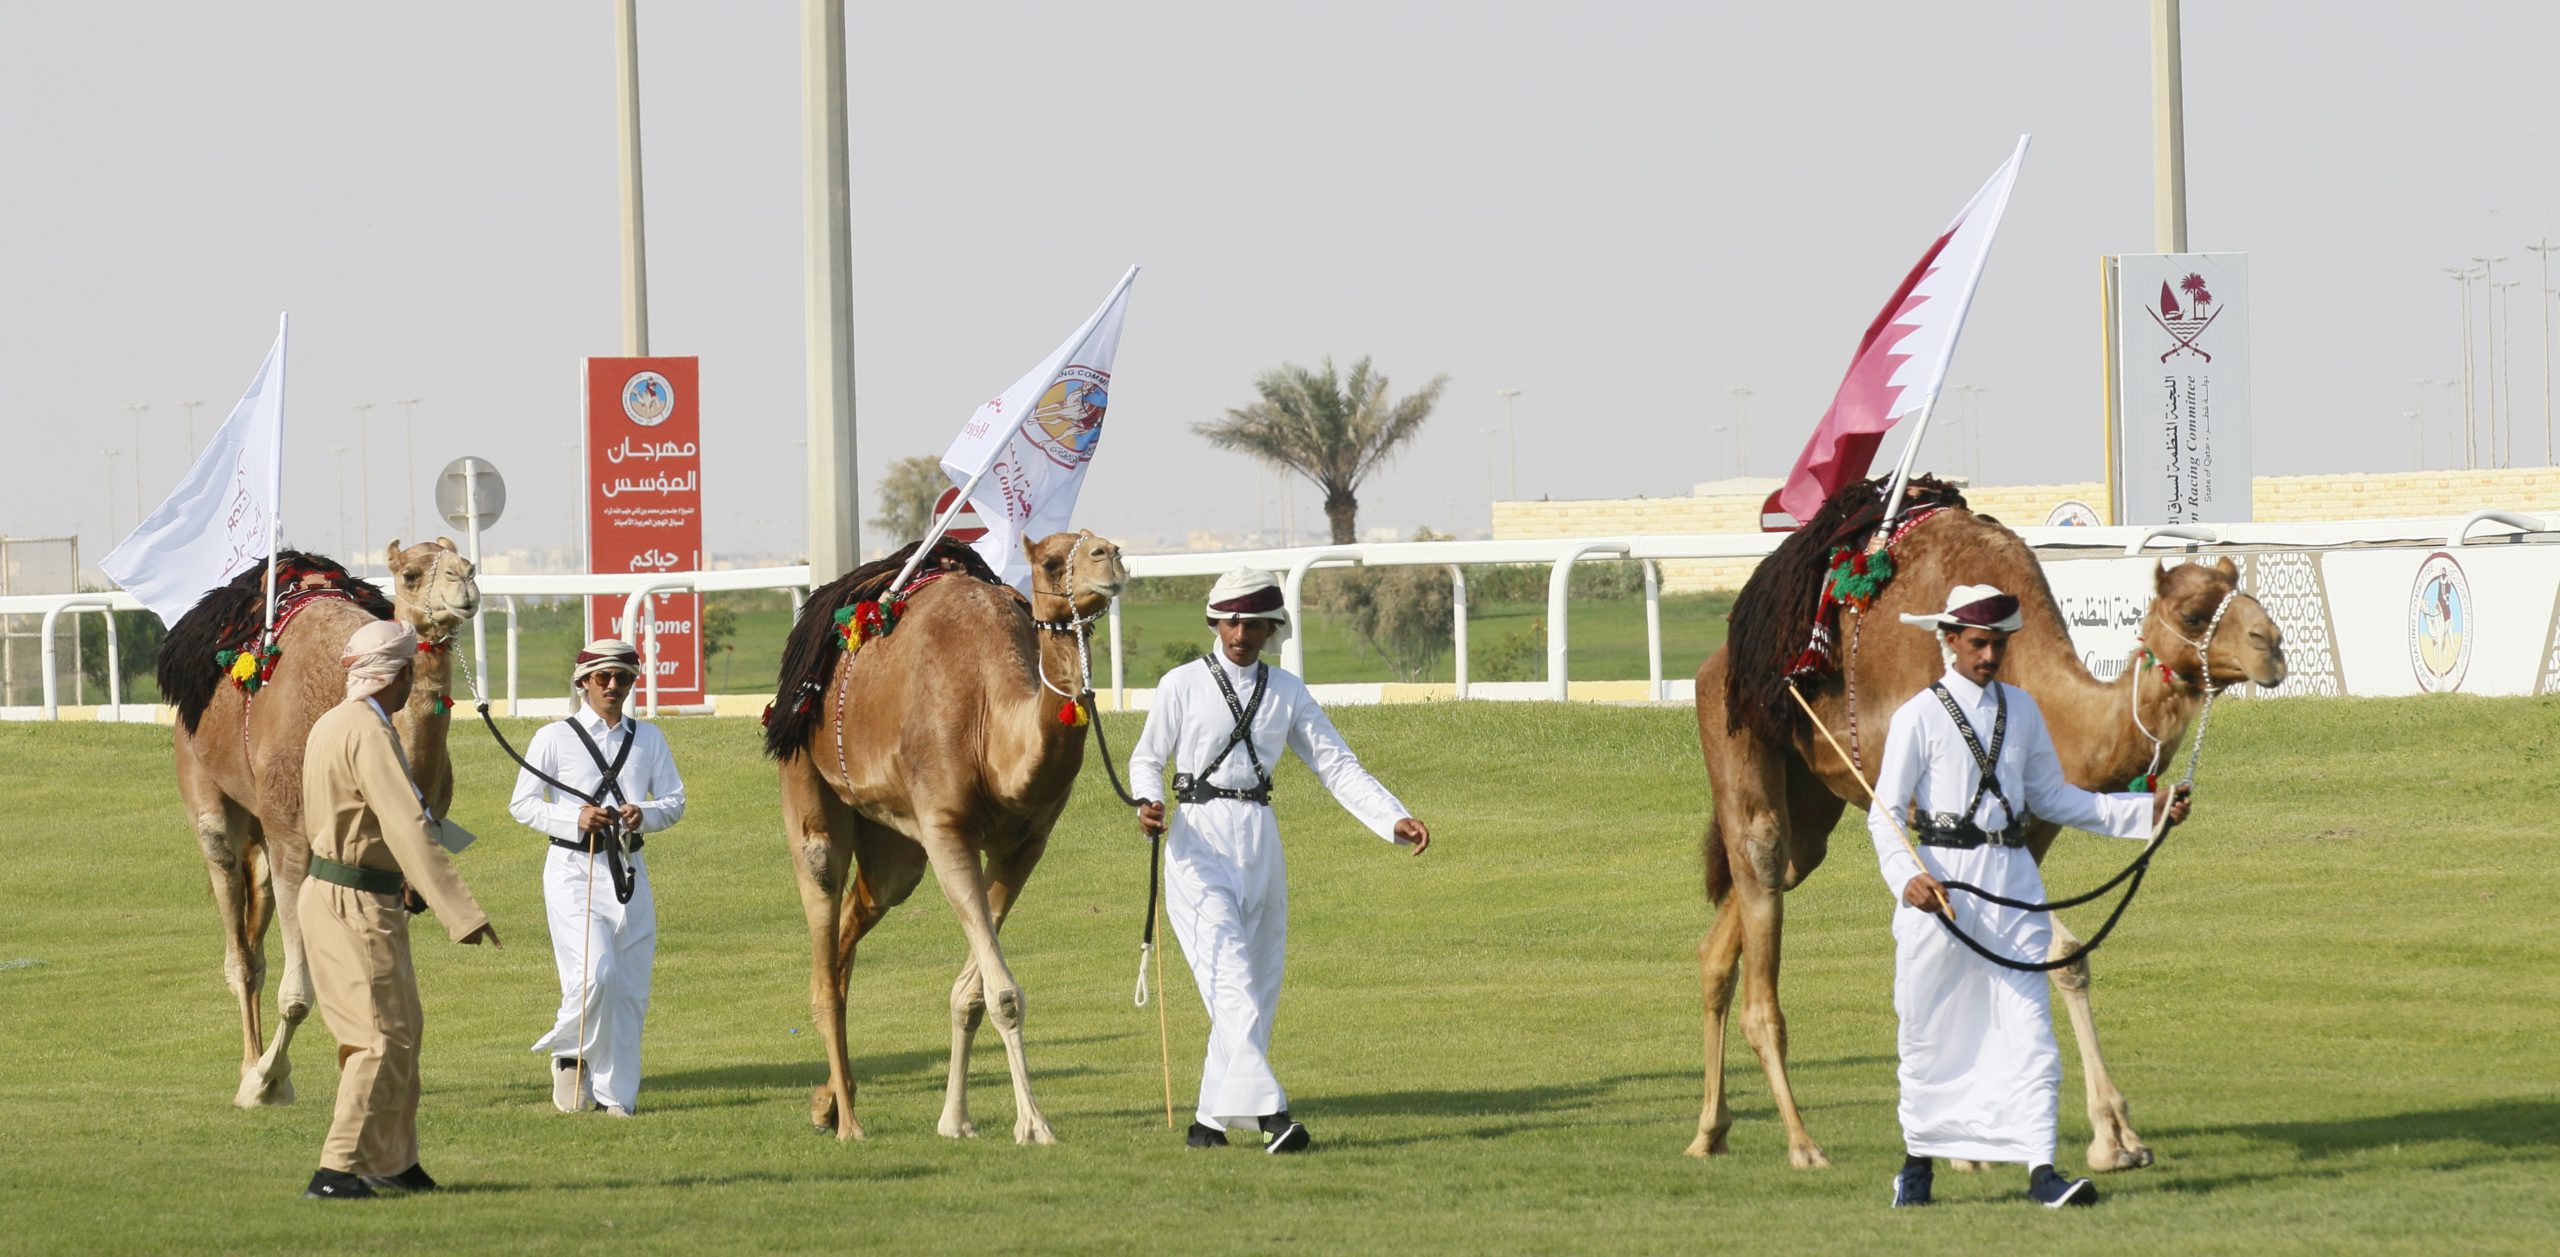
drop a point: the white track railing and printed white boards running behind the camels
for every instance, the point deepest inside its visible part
(2369, 608)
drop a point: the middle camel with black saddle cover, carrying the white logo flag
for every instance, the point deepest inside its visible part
(948, 741)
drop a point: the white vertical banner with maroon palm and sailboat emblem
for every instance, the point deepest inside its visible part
(2182, 388)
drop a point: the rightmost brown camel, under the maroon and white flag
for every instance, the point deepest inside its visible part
(1778, 797)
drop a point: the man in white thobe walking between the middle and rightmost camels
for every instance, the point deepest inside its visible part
(1225, 879)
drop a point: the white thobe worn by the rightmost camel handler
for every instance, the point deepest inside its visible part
(1980, 1069)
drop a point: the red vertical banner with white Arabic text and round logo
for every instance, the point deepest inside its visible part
(644, 503)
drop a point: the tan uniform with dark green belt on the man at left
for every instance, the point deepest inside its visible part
(360, 808)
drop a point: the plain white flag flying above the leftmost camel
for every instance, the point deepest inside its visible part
(221, 518)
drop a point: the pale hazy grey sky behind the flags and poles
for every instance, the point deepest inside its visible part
(1624, 211)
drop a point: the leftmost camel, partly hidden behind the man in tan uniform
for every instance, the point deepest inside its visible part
(239, 757)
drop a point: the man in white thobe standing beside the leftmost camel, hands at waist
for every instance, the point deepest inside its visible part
(595, 879)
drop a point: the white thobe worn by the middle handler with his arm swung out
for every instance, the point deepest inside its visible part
(1225, 879)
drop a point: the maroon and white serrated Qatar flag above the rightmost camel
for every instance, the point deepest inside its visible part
(1901, 360)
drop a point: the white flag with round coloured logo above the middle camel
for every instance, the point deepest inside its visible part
(1028, 449)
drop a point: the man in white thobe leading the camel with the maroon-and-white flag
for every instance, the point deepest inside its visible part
(1980, 1069)
